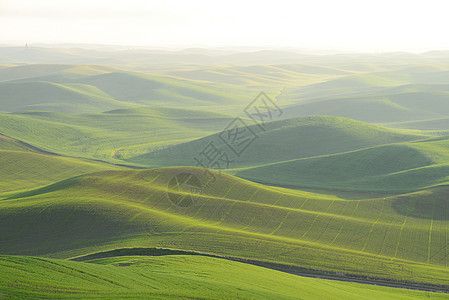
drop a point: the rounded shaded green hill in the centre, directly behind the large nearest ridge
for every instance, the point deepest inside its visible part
(281, 140)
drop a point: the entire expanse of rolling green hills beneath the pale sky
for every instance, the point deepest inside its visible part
(346, 177)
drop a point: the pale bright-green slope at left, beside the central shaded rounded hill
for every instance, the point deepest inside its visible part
(114, 134)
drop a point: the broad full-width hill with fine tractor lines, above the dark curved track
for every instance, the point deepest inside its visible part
(225, 215)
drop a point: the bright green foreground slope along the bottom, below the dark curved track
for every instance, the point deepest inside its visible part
(180, 277)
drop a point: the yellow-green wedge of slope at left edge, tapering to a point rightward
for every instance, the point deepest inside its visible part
(25, 170)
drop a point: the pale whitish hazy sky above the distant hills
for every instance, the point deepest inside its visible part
(379, 25)
